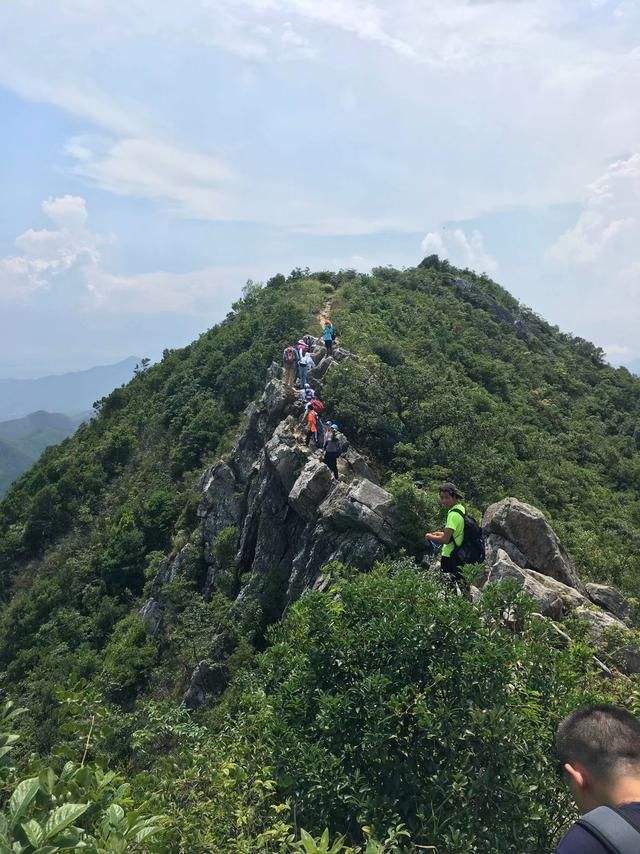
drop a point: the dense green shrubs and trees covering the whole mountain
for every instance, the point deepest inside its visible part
(383, 708)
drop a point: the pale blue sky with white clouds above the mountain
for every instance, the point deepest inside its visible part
(154, 156)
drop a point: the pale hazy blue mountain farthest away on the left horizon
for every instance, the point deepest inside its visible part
(62, 393)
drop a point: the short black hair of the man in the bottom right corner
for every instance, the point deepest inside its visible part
(605, 739)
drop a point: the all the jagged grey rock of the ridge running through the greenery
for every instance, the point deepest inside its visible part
(288, 518)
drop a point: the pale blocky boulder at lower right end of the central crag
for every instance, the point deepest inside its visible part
(362, 505)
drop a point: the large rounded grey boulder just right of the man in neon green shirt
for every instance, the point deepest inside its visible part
(527, 529)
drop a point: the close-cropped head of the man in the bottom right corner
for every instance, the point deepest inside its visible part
(599, 749)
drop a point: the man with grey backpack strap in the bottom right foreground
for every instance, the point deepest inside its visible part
(599, 751)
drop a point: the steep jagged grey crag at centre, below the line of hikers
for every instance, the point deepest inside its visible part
(291, 517)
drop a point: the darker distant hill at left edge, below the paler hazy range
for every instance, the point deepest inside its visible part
(22, 440)
